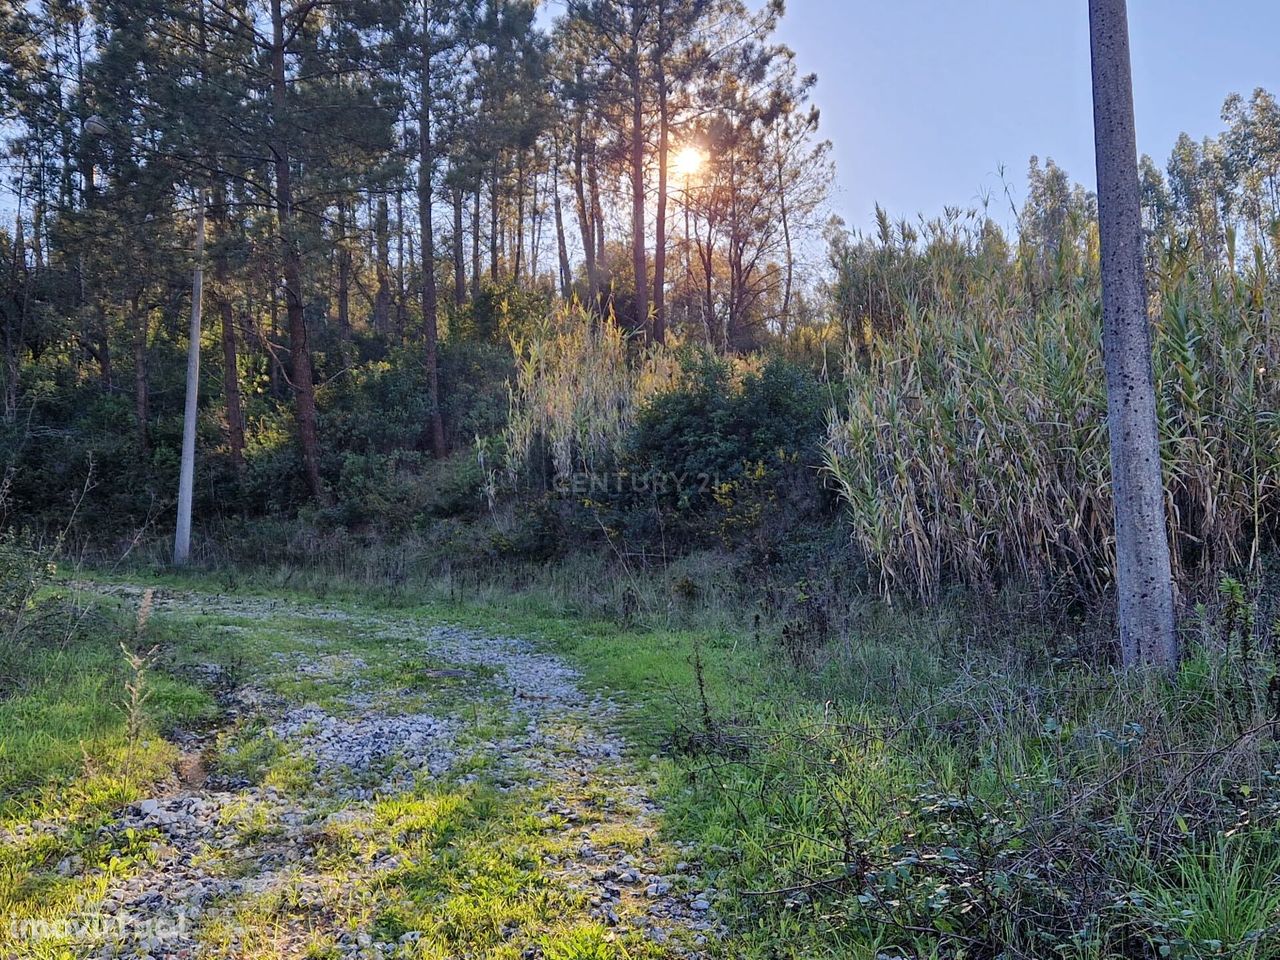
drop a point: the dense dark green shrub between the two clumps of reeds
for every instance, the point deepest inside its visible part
(726, 455)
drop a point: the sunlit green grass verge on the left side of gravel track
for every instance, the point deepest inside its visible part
(67, 761)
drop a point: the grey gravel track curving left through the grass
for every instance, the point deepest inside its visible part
(225, 844)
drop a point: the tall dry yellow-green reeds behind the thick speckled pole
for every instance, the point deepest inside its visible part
(975, 445)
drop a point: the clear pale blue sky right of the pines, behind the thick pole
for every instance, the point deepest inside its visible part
(926, 100)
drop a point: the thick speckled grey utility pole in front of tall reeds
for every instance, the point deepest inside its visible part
(1144, 574)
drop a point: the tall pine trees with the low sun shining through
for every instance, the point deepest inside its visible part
(372, 170)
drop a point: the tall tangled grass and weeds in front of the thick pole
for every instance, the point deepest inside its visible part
(970, 807)
